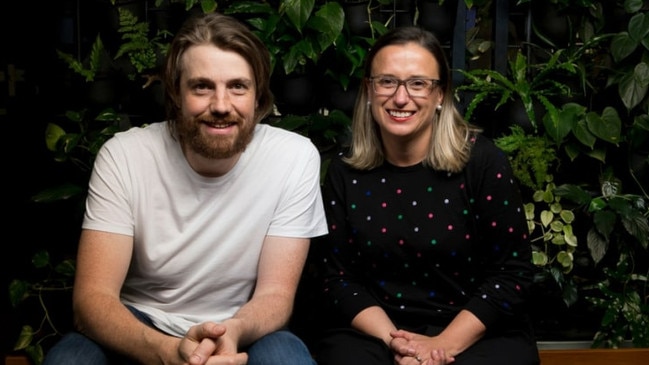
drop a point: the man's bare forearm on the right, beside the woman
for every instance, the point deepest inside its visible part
(280, 268)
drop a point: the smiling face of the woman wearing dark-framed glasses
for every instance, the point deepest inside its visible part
(404, 115)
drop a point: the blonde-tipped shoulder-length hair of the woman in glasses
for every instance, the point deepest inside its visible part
(449, 147)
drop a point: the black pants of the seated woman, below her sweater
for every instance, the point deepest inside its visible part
(349, 347)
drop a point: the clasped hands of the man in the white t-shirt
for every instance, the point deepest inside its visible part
(209, 344)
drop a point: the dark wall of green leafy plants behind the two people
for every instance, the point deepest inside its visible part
(580, 156)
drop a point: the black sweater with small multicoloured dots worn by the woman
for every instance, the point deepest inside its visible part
(424, 244)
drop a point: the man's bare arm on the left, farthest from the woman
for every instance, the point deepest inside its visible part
(102, 263)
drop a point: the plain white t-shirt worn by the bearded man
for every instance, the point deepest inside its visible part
(197, 240)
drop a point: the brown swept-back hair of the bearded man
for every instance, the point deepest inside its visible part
(226, 33)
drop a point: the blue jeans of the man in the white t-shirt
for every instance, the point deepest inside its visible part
(277, 348)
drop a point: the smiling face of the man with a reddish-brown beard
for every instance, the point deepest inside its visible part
(217, 92)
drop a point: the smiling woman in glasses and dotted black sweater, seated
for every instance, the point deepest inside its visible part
(427, 260)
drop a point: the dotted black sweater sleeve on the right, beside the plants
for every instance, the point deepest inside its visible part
(504, 248)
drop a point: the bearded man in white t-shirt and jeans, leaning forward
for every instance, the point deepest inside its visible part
(197, 229)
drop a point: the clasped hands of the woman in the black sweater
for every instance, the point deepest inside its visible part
(414, 349)
